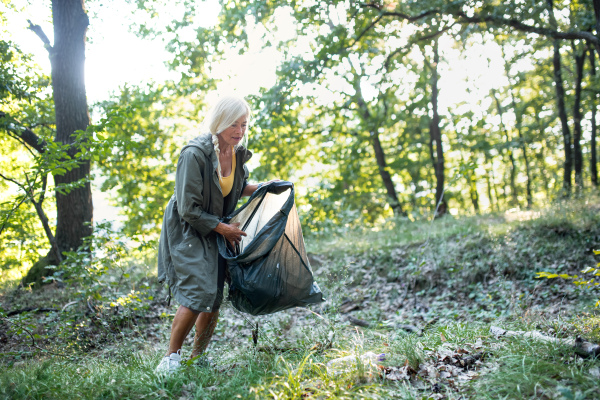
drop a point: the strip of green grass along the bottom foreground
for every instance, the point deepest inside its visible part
(513, 368)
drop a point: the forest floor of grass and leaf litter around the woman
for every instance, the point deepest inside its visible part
(417, 300)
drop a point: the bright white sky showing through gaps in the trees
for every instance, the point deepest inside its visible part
(116, 56)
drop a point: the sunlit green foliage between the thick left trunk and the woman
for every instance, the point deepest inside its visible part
(139, 166)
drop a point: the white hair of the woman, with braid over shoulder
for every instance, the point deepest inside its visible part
(225, 112)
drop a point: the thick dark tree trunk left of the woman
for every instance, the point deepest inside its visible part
(74, 209)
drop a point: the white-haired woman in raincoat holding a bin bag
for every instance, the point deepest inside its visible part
(211, 177)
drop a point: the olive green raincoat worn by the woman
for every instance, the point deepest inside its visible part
(188, 252)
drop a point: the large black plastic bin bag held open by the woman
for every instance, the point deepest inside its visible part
(269, 269)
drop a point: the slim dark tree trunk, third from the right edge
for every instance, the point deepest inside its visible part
(560, 106)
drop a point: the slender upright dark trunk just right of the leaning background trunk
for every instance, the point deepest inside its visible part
(435, 135)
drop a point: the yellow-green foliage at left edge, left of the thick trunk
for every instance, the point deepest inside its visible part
(23, 101)
